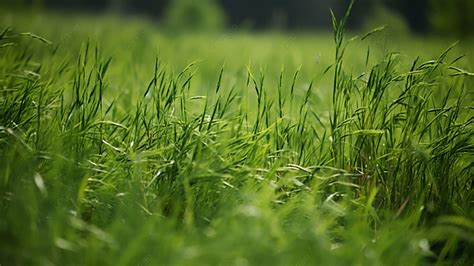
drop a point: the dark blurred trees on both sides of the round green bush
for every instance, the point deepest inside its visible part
(421, 15)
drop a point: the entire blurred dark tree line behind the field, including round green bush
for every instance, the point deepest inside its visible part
(420, 16)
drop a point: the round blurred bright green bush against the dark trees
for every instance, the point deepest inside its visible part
(187, 15)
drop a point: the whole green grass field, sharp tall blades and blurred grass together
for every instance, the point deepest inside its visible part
(122, 143)
